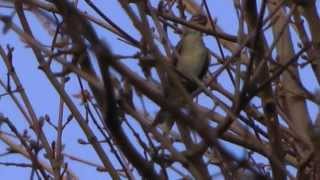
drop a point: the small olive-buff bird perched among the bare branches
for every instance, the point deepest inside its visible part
(193, 61)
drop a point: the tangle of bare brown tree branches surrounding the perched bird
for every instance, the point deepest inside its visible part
(252, 101)
